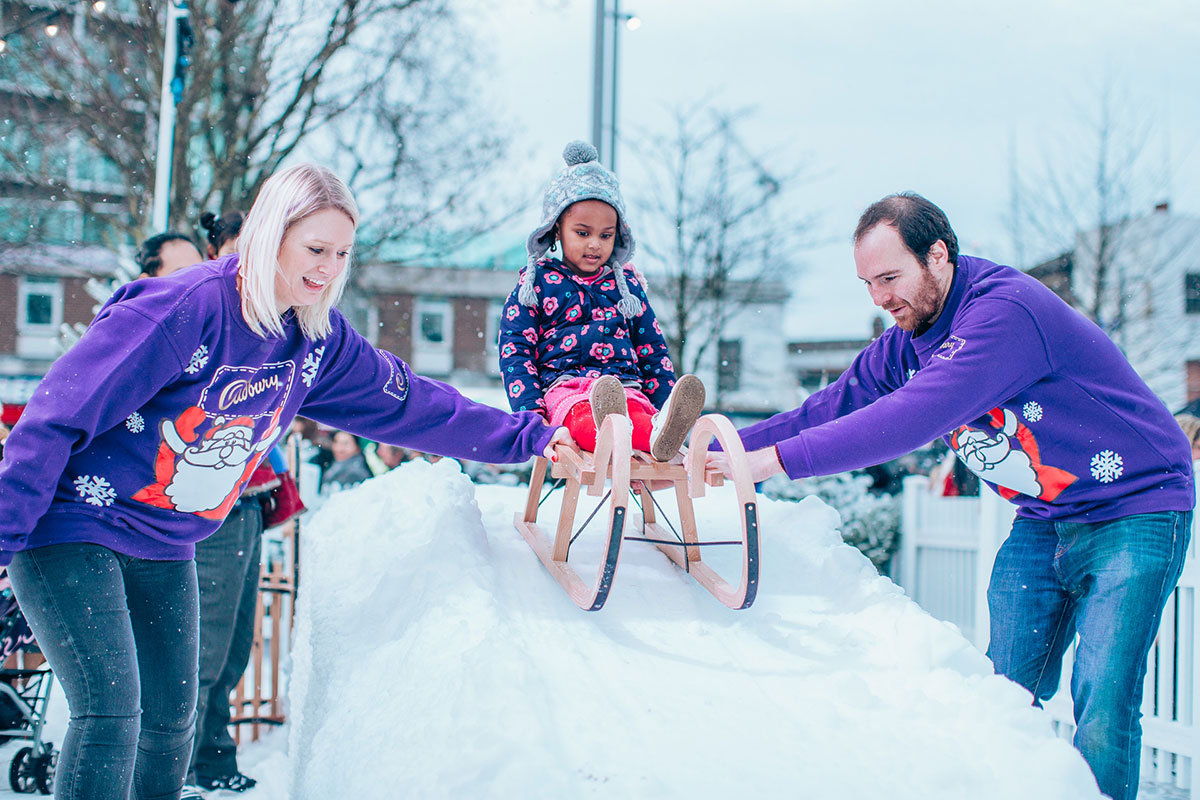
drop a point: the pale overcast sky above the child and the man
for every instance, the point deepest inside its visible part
(874, 97)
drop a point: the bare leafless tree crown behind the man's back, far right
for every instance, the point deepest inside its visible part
(1094, 197)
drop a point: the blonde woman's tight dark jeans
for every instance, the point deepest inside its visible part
(121, 635)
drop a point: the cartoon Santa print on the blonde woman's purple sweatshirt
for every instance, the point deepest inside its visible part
(205, 474)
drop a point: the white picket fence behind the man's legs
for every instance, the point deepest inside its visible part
(947, 549)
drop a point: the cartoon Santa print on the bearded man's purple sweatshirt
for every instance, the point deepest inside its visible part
(1010, 459)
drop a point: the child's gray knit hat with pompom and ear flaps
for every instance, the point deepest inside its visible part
(584, 179)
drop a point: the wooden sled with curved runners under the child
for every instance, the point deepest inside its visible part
(617, 466)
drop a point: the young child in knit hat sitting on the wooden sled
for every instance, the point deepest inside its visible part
(579, 340)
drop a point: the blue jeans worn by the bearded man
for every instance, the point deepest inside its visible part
(1107, 582)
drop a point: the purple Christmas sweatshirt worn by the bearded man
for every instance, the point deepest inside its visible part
(1031, 395)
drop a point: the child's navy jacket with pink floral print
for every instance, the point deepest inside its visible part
(578, 333)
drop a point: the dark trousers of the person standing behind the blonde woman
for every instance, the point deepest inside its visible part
(227, 567)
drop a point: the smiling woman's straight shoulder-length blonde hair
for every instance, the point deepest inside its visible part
(286, 199)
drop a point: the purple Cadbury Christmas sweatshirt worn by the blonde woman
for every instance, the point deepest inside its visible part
(143, 435)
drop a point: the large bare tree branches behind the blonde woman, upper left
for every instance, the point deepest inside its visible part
(344, 82)
